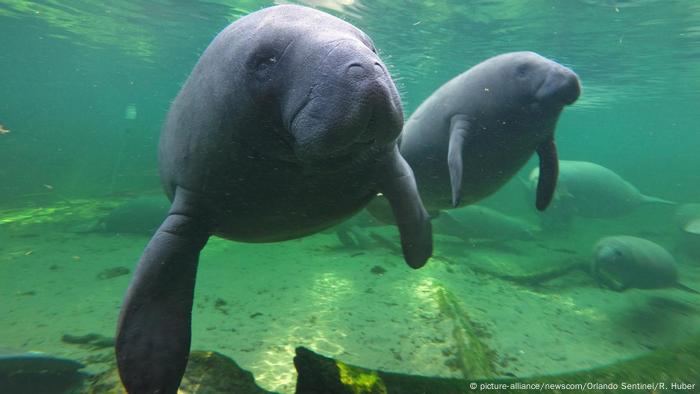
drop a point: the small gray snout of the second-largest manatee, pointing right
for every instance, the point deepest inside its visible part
(561, 86)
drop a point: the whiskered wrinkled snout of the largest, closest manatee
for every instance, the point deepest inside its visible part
(353, 104)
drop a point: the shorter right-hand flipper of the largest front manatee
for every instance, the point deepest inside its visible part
(399, 187)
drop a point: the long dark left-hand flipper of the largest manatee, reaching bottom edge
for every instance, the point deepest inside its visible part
(153, 335)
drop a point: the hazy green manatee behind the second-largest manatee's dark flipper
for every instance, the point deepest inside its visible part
(590, 190)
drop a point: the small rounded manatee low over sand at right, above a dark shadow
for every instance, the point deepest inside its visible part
(622, 262)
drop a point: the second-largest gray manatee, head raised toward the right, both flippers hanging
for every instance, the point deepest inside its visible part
(476, 131)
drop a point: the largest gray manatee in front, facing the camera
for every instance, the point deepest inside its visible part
(287, 125)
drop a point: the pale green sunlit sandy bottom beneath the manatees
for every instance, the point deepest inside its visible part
(257, 302)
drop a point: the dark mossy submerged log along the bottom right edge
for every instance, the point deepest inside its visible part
(675, 369)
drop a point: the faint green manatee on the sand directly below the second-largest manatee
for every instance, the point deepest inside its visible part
(477, 222)
